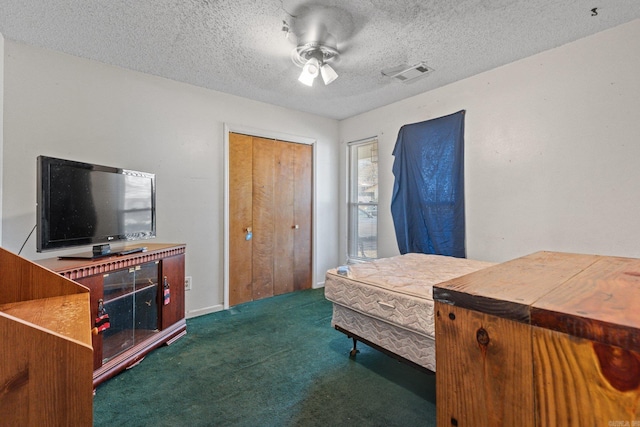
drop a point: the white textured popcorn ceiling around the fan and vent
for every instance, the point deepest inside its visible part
(238, 46)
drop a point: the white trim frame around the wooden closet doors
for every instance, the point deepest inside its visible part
(262, 133)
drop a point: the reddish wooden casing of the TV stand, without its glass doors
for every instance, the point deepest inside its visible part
(171, 323)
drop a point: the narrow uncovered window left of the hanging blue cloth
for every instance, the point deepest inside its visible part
(363, 200)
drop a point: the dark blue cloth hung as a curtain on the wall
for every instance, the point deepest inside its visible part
(428, 194)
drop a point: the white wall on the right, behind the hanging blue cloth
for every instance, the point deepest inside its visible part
(552, 150)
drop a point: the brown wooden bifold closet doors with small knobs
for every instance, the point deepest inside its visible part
(270, 199)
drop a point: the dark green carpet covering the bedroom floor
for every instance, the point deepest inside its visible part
(274, 362)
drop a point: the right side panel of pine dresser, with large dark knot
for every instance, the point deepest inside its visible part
(582, 383)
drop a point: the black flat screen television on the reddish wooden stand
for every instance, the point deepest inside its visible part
(86, 204)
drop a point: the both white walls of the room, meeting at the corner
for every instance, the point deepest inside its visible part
(551, 150)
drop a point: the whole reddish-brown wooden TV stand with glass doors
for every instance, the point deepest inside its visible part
(142, 292)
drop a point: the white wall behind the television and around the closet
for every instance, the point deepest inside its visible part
(64, 106)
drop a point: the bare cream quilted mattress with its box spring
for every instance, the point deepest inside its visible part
(389, 301)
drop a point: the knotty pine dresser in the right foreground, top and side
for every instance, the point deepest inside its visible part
(549, 339)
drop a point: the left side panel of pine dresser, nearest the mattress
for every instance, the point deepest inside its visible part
(484, 369)
